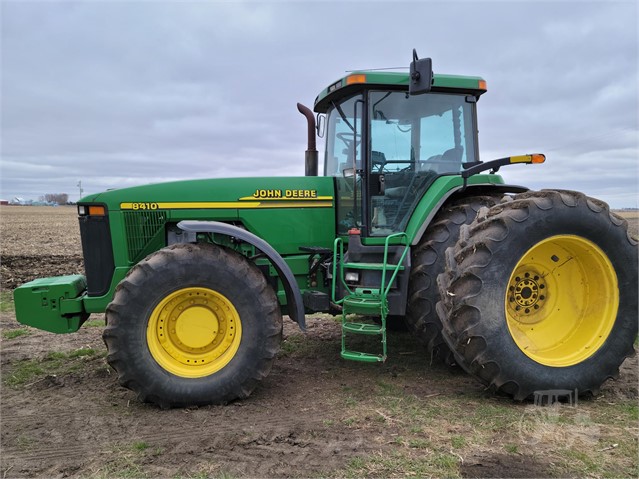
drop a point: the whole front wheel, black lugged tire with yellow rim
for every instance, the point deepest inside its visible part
(193, 325)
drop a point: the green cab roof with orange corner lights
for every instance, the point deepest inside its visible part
(359, 80)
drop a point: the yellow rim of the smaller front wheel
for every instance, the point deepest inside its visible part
(194, 332)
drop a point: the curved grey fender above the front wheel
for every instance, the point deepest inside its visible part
(293, 293)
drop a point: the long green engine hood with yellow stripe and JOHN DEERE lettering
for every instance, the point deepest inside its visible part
(287, 212)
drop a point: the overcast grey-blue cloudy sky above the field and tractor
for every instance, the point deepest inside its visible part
(122, 93)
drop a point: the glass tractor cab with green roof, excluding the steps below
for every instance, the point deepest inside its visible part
(385, 146)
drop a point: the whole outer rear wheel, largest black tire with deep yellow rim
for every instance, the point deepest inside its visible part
(541, 294)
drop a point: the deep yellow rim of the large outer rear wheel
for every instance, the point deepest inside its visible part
(562, 300)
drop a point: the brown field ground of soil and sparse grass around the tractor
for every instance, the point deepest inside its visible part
(313, 416)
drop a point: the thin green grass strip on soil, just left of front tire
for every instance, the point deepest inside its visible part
(55, 363)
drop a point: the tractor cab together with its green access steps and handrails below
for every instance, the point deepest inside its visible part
(389, 137)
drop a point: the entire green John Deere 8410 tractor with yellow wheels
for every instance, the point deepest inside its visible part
(525, 290)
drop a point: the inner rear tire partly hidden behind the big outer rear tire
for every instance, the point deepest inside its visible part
(428, 260)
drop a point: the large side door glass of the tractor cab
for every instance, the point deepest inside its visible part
(413, 139)
